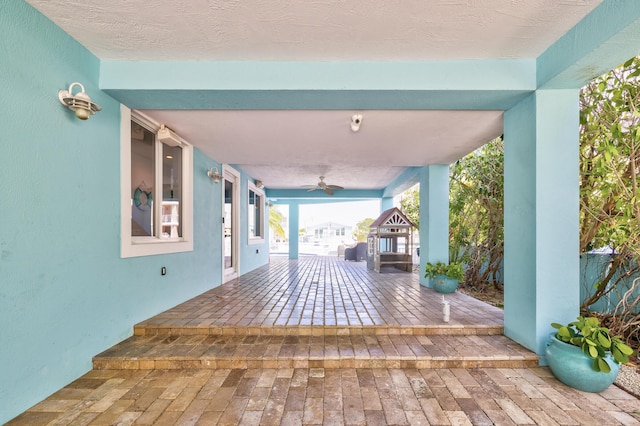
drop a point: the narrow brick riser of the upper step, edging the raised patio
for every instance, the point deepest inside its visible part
(175, 329)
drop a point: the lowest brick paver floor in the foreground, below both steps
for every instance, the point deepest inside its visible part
(288, 396)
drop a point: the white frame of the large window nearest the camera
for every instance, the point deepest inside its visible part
(131, 246)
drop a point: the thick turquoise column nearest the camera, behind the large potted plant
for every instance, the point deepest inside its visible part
(541, 224)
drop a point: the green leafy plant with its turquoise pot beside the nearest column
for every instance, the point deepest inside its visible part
(584, 355)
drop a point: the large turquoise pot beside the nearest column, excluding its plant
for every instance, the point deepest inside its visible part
(573, 367)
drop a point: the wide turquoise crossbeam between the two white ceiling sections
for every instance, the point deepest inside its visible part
(456, 85)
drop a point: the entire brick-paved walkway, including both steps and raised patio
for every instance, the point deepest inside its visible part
(323, 341)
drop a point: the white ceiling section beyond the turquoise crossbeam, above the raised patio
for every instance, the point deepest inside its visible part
(287, 149)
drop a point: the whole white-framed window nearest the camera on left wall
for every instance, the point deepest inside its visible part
(150, 171)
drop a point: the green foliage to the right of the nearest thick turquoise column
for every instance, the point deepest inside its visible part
(609, 172)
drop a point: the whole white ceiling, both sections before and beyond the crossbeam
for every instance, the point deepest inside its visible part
(287, 149)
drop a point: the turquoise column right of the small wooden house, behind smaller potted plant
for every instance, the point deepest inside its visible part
(434, 217)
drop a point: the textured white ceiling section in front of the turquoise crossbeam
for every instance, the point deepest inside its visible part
(315, 30)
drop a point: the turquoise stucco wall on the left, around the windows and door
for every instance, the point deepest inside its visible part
(65, 293)
